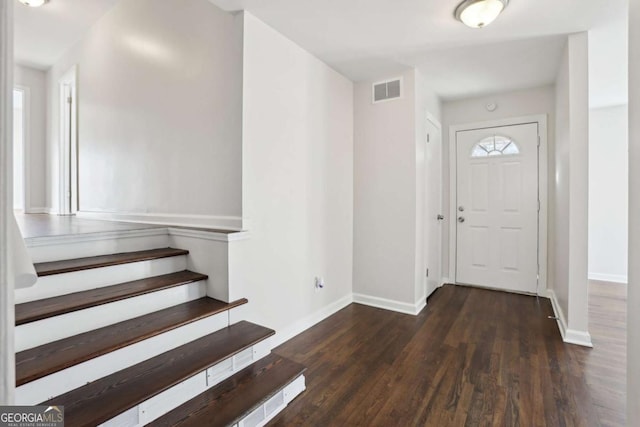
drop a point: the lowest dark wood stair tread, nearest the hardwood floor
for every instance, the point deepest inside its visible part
(228, 402)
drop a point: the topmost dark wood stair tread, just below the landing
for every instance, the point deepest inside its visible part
(78, 264)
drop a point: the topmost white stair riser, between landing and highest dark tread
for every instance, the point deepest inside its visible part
(45, 249)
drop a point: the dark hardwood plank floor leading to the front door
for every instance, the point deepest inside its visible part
(472, 357)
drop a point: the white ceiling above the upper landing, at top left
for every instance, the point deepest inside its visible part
(43, 34)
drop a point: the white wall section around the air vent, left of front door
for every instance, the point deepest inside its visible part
(388, 194)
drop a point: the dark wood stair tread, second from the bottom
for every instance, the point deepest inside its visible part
(107, 397)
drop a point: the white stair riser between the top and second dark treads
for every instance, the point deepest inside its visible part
(78, 281)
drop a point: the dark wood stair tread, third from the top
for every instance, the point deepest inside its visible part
(55, 356)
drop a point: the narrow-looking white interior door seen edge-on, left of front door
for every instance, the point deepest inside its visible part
(433, 207)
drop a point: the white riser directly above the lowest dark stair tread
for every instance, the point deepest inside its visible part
(170, 399)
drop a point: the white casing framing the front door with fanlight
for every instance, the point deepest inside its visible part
(543, 179)
